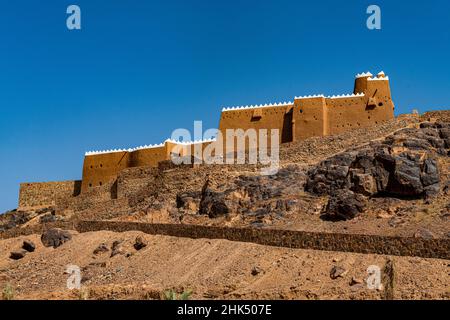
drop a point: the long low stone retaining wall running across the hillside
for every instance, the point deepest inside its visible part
(358, 243)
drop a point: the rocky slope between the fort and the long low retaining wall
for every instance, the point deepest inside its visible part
(392, 178)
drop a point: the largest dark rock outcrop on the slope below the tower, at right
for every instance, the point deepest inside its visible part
(403, 165)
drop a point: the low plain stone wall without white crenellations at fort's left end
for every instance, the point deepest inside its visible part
(41, 194)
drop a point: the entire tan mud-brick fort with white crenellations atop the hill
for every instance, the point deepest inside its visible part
(304, 117)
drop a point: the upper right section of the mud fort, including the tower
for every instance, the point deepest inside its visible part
(370, 104)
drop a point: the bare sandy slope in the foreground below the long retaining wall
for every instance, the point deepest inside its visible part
(212, 269)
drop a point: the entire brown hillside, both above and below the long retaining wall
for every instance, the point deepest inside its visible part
(389, 180)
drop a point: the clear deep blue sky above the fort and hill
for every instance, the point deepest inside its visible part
(139, 69)
